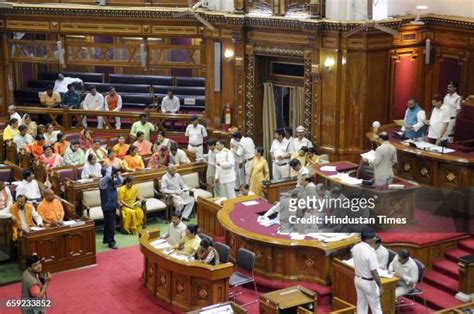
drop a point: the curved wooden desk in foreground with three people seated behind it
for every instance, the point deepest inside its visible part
(184, 285)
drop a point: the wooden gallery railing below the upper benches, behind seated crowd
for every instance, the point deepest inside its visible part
(72, 118)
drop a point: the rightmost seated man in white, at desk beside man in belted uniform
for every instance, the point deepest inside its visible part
(405, 268)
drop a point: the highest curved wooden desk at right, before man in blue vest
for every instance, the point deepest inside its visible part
(454, 170)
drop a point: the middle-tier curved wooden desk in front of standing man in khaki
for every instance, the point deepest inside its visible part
(391, 203)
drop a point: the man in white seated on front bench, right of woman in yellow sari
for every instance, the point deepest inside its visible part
(173, 184)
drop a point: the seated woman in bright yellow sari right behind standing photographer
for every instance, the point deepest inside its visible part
(130, 207)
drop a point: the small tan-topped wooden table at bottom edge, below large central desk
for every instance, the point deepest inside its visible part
(295, 299)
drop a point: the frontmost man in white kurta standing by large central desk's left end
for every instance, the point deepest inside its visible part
(225, 172)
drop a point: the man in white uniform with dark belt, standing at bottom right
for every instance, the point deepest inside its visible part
(367, 280)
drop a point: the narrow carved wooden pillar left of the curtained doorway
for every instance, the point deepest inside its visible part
(249, 90)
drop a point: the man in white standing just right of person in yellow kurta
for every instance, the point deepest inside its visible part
(280, 155)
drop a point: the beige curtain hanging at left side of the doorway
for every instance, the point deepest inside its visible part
(269, 117)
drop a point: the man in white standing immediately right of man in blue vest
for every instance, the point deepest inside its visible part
(439, 121)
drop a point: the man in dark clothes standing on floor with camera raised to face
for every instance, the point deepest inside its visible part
(109, 202)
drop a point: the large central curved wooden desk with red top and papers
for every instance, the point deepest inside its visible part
(278, 256)
